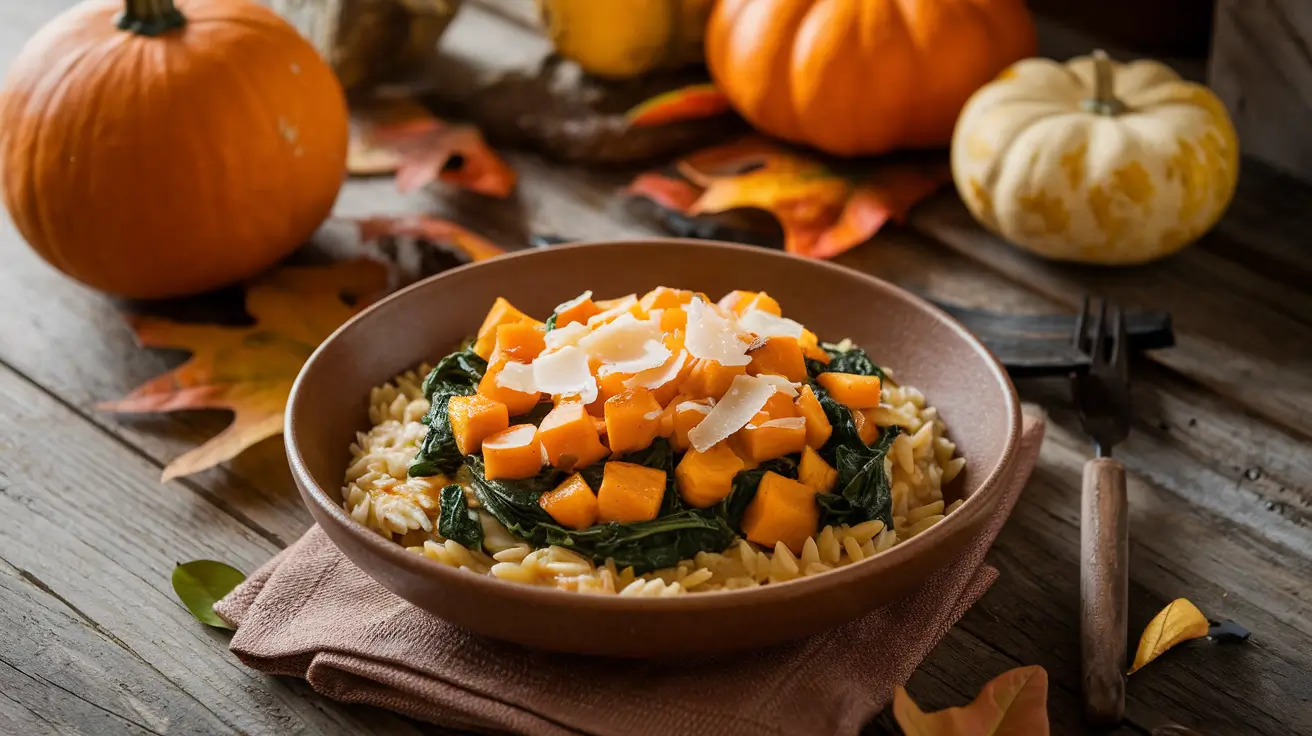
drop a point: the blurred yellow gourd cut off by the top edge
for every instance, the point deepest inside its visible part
(625, 39)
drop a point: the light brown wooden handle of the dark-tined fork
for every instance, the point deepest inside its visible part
(1104, 582)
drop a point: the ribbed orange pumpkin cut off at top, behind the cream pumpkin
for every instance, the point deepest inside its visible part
(861, 77)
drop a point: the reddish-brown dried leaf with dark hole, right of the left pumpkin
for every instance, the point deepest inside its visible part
(406, 138)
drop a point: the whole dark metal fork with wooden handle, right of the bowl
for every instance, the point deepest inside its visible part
(1103, 398)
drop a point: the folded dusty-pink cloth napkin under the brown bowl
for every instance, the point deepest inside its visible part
(312, 613)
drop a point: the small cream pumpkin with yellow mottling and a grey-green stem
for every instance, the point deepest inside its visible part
(1096, 162)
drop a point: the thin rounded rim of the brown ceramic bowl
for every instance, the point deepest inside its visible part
(710, 600)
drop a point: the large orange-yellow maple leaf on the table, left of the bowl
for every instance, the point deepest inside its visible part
(250, 371)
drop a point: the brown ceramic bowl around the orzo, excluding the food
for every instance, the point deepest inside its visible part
(924, 347)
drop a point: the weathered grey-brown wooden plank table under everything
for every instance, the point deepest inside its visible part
(1220, 461)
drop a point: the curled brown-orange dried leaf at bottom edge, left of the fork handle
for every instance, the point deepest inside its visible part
(1014, 704)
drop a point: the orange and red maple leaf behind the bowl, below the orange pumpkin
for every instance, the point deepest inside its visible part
(822, 213)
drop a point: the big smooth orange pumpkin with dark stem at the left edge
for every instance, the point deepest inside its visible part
(157, 152)
